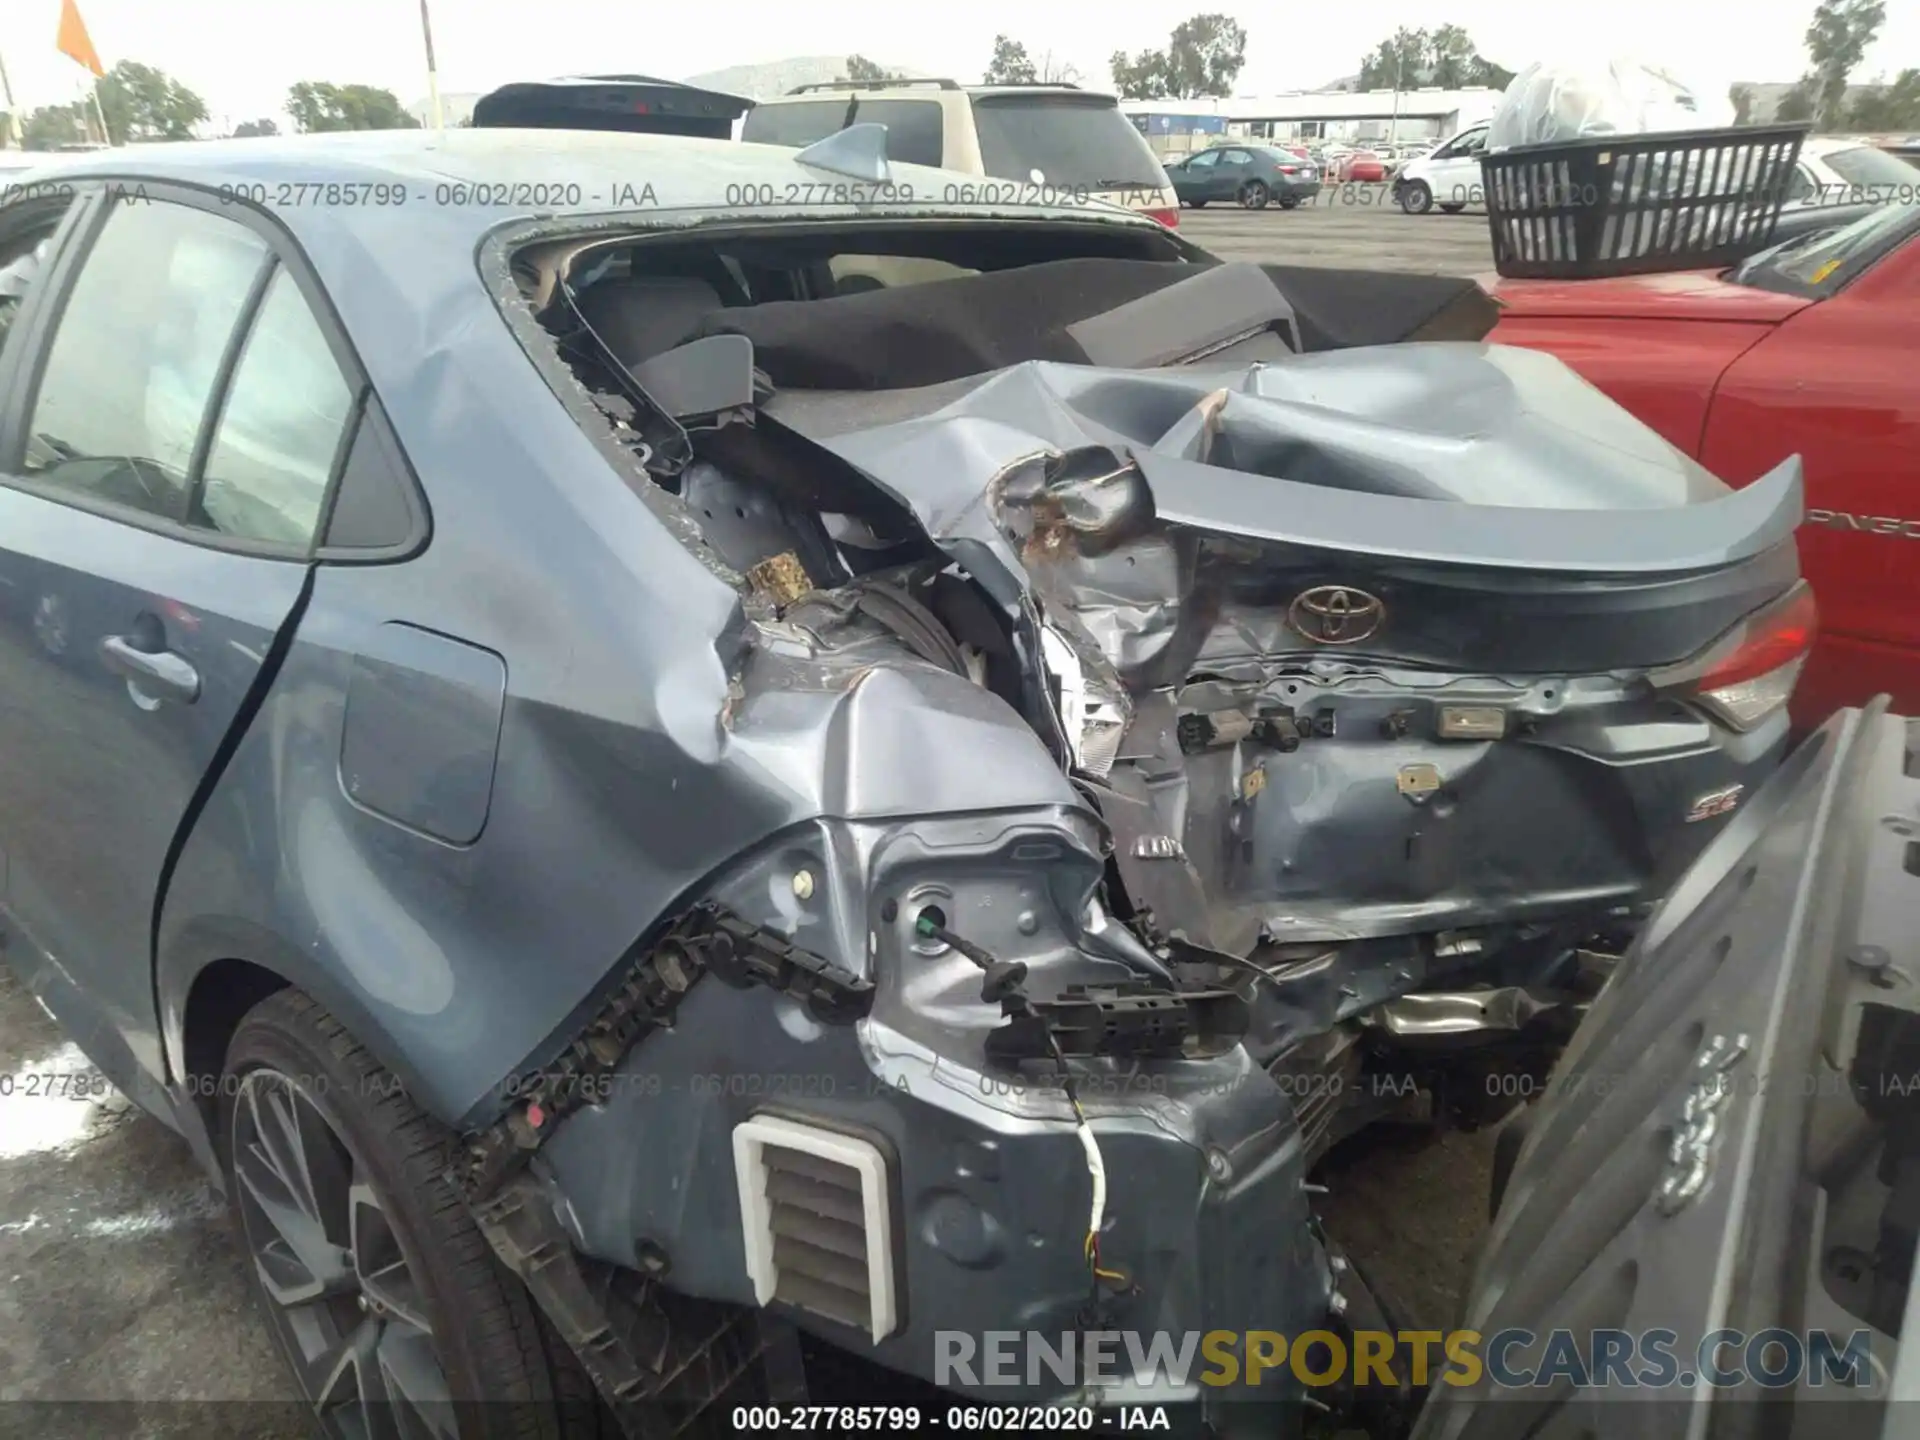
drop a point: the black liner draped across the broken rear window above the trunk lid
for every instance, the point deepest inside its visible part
(948, 329)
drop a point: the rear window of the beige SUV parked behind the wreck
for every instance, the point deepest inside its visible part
(1070, 141)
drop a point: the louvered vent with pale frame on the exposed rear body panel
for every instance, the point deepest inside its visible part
(817, 1222)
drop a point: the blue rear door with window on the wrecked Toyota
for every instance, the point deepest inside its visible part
(174, 425)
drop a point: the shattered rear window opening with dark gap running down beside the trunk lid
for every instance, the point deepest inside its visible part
(780, 512)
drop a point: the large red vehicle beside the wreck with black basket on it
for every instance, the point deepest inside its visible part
(1813, 350)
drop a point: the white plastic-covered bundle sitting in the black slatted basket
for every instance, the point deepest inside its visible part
(1568, 101)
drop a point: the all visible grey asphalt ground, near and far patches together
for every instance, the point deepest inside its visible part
(120, 1278)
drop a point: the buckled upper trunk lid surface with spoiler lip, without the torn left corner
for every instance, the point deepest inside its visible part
(1456, 454)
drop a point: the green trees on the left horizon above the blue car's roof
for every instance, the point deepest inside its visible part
(139, 103)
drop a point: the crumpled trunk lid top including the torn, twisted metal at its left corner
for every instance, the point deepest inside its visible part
(1107, 492)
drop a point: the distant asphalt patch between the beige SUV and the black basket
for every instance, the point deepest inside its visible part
(1351, 228)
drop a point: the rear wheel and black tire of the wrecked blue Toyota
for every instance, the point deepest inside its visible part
(402, 1278)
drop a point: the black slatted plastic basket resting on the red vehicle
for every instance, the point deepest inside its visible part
(1631, 204)
